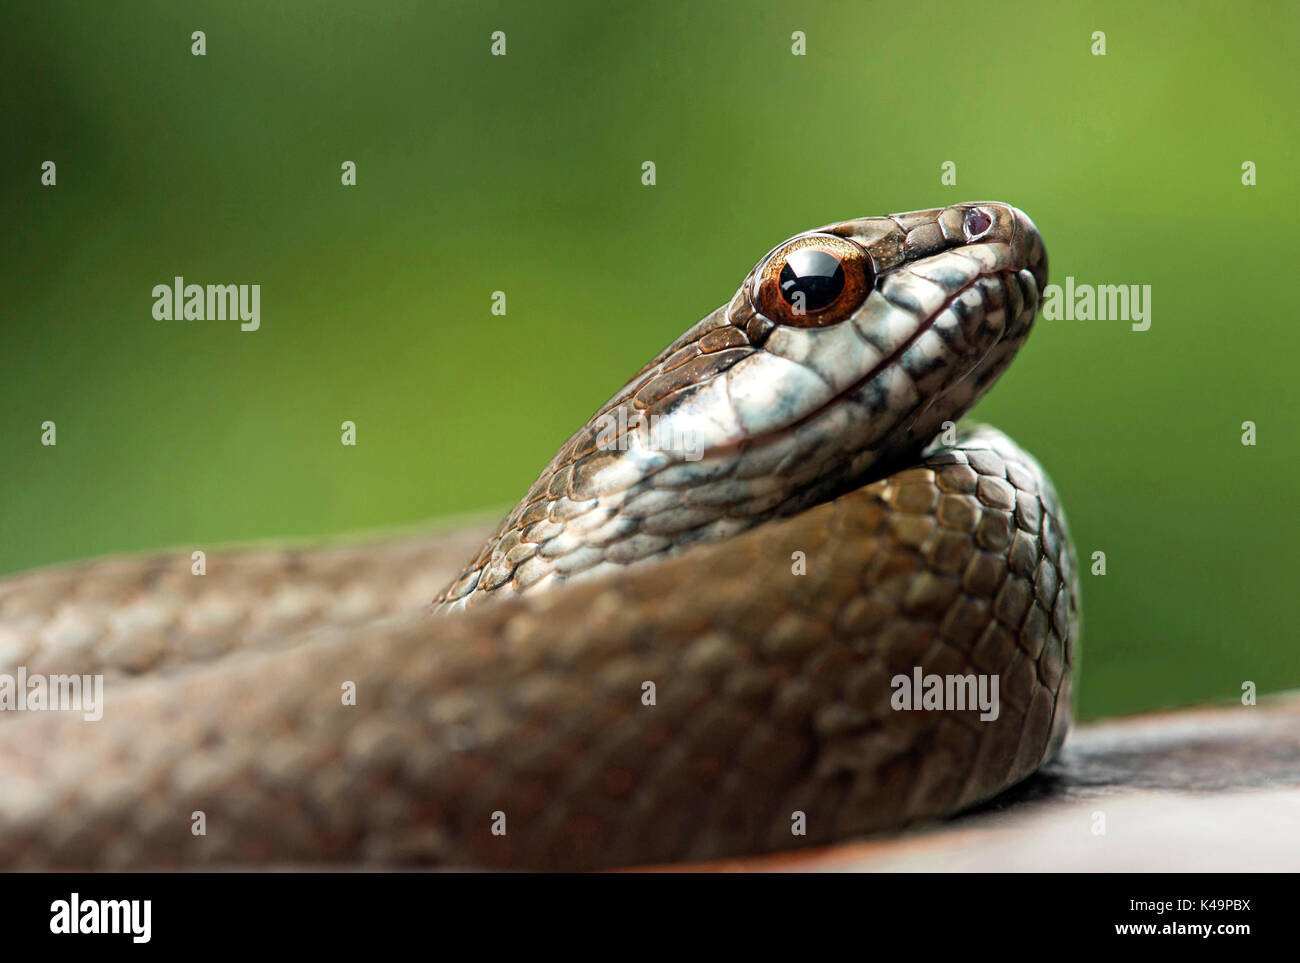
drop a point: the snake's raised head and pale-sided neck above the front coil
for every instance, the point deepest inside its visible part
(843, 353)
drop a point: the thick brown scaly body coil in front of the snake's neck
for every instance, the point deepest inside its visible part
(773, 697)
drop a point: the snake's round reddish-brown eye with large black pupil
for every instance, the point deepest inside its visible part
(813, 281)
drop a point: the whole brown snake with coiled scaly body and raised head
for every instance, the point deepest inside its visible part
(712, 627)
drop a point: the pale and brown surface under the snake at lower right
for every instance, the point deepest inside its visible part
(1208, 790)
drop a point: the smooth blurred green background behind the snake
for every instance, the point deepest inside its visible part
(523, 173)
